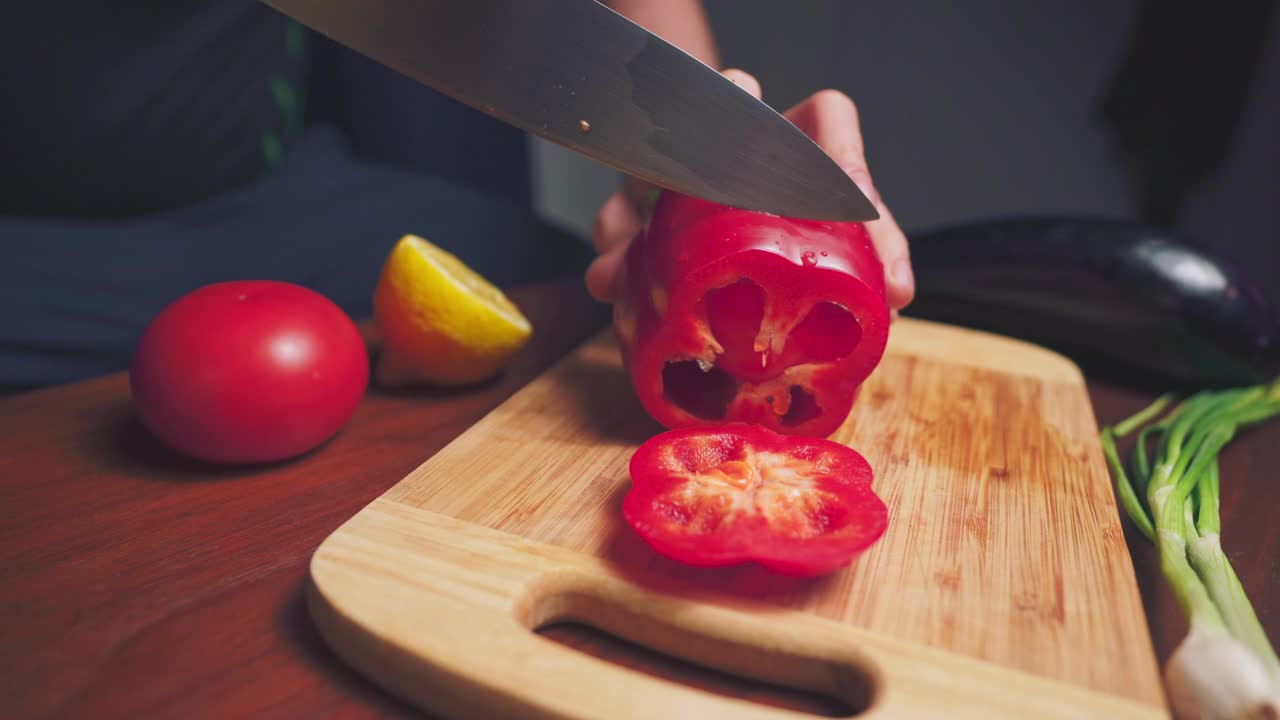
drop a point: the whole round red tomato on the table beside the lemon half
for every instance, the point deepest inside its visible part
(249, 372)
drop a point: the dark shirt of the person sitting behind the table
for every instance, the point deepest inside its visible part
(120, 110)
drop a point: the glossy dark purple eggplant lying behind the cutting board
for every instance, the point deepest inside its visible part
(1128, 303)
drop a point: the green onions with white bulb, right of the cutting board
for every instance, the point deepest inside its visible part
(1226, 667)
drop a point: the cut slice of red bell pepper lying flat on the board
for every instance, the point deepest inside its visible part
(733, 494)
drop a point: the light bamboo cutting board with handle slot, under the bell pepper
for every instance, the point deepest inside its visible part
(1003, 587)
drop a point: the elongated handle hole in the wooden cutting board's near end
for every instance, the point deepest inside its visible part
(714, 662)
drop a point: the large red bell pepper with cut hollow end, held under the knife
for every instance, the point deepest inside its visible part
(729, 315)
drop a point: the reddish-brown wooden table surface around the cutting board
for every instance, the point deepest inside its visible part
(135, 584)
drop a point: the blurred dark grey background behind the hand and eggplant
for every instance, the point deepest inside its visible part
(1163, 112)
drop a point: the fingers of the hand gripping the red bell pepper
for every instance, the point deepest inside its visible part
(831, 120)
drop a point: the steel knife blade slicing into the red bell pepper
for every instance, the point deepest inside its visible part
(584, 78)
